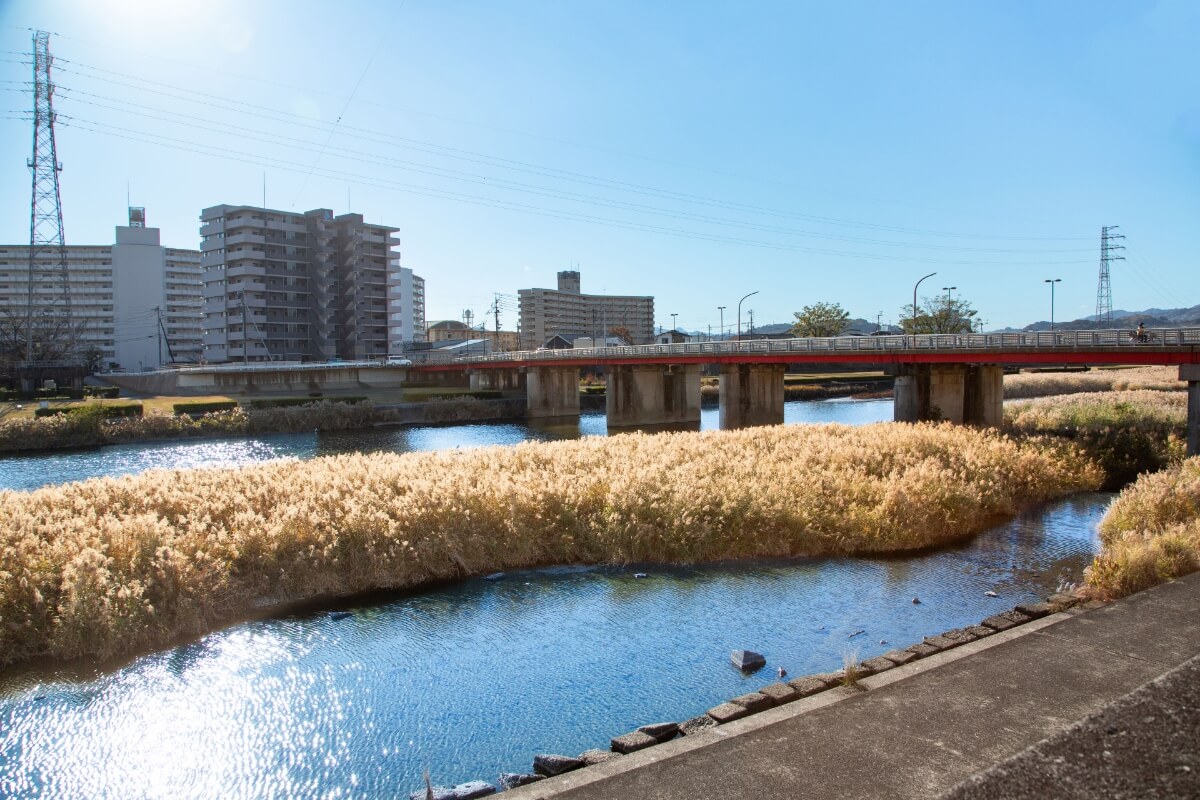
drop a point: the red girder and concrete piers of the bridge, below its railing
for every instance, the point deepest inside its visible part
(662, 387)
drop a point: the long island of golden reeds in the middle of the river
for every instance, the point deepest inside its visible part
(112, 566)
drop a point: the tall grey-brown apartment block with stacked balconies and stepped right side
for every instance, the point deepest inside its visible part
(295, 287)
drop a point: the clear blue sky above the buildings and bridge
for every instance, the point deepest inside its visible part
(691, 152)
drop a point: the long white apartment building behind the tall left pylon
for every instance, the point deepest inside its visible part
(137, 304)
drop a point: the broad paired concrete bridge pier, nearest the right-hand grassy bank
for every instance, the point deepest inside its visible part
(956, 393)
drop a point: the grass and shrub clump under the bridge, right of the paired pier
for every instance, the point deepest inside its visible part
(1126, 432)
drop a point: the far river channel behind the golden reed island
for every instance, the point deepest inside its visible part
(32, 471)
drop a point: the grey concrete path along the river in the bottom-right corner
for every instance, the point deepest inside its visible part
(922, 730)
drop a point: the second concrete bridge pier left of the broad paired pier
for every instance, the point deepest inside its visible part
(652, 395)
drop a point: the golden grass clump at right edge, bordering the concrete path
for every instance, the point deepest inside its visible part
(1151, 533)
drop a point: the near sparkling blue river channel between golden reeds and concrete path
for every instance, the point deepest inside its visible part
(477, 678)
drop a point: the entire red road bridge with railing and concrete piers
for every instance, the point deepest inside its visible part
(957, 377)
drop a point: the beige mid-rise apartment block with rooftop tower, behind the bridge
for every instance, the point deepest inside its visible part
(567, 312)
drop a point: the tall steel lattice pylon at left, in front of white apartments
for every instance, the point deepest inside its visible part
(50, 336)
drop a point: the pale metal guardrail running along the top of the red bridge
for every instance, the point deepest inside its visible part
(1105, 340)
